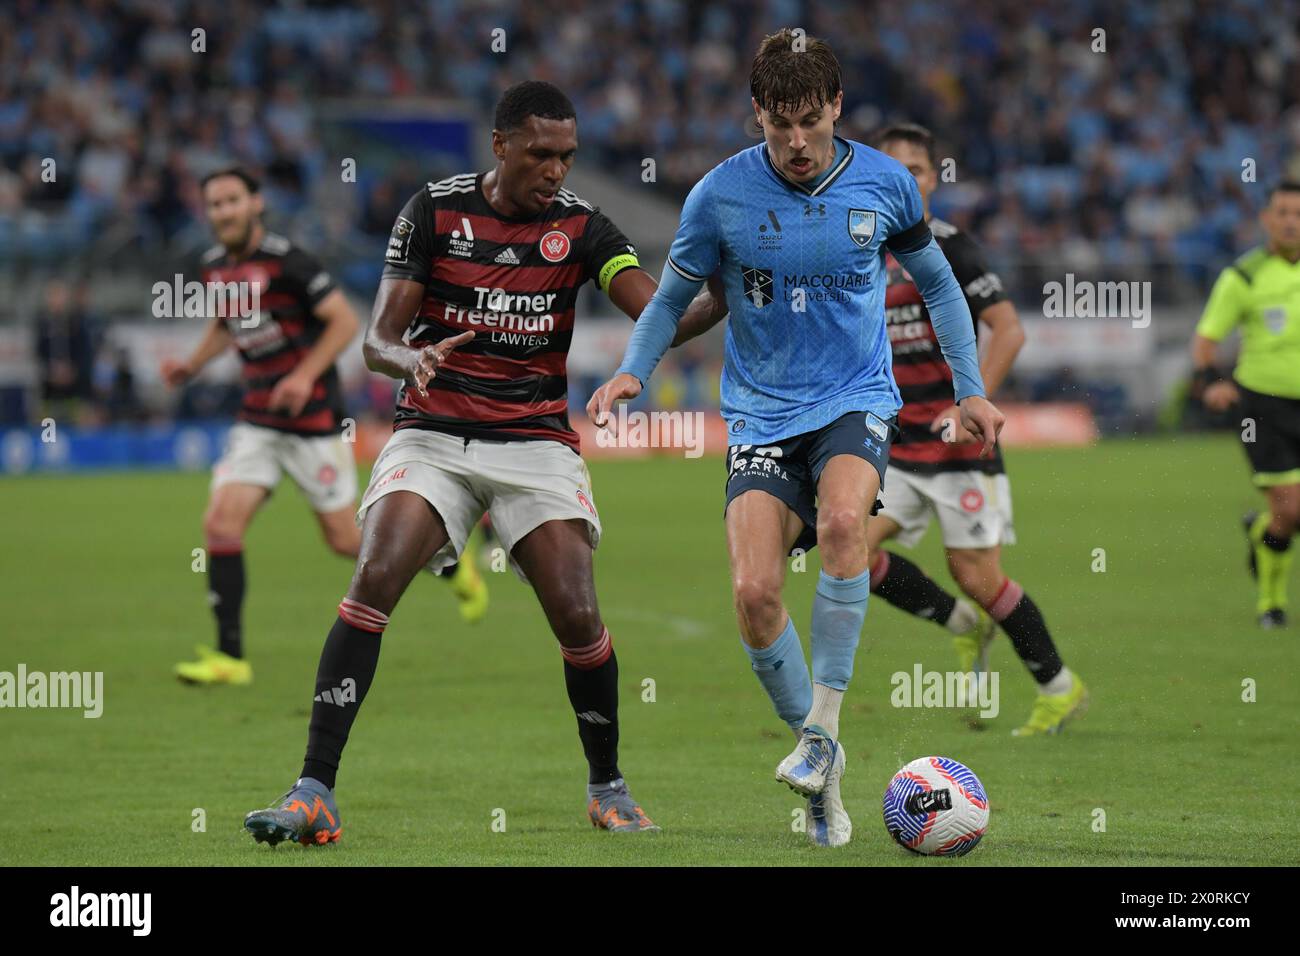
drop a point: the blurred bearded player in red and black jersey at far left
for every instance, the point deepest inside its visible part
(292, 416)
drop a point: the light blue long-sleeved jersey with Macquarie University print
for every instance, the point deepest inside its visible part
(805, 279)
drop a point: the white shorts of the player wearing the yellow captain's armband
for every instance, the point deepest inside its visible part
(522, 485)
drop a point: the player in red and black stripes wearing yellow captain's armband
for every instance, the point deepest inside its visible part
(475, 314)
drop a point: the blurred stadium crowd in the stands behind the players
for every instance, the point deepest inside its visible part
(1129, 159)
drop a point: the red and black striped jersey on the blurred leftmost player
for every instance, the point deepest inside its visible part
(289, 285)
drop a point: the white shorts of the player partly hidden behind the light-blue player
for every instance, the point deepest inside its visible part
(974, 509)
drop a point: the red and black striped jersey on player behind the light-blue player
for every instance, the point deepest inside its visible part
(924, 378)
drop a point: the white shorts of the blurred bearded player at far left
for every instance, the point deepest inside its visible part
(322, 466)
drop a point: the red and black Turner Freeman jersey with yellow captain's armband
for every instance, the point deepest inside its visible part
(515, 284)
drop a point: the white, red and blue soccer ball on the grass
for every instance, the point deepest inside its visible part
(937, 807)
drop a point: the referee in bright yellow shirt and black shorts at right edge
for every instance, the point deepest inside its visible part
(1260, 296)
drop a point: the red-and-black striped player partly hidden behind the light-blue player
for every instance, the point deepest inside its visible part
(935, 468)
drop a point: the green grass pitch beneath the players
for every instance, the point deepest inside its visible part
(465, 724)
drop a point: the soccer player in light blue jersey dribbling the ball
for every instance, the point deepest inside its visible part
(796, 228)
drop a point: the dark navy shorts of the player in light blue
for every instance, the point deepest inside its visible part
(790, 470)
